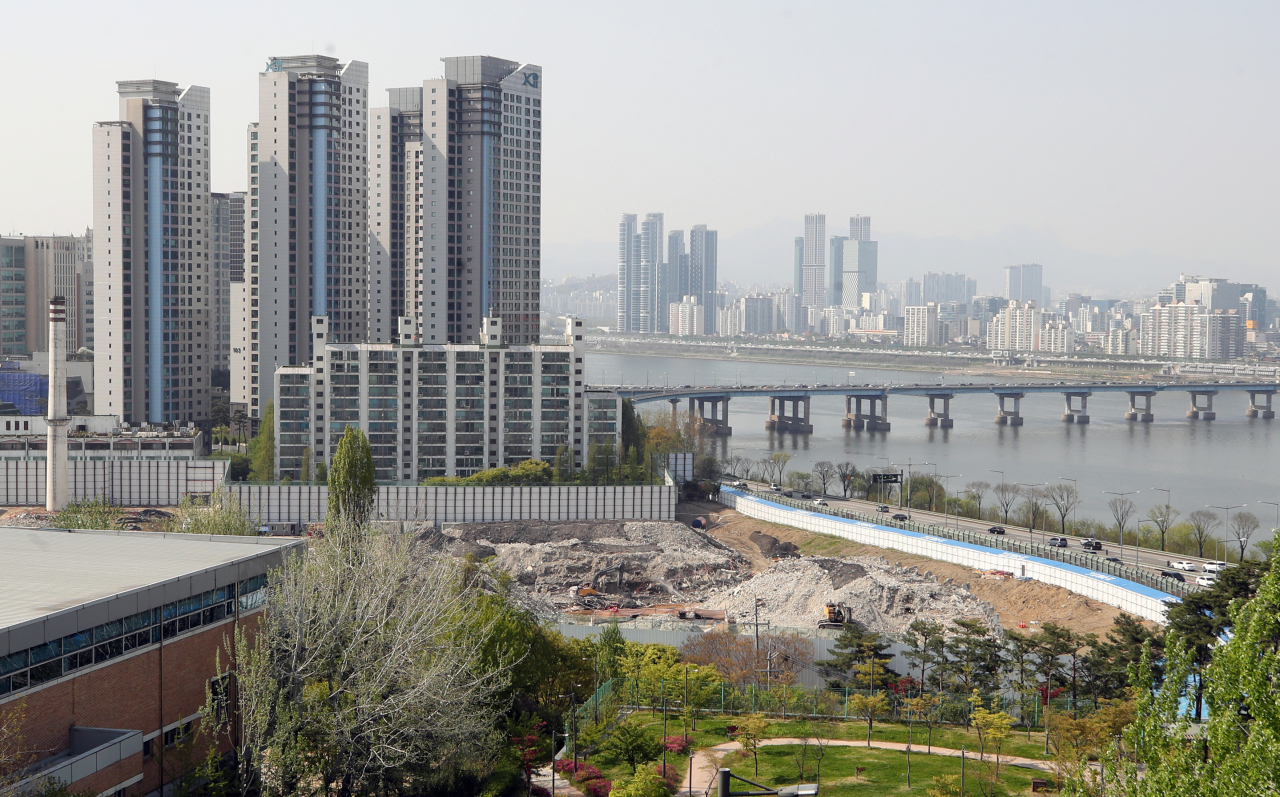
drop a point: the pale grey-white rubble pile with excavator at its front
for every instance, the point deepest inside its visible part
(883, 598)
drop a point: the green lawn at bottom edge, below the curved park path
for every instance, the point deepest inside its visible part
(885, 773)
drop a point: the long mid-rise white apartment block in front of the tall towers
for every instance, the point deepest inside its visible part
(442, 410)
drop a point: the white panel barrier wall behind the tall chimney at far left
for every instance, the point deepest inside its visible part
(122, 483)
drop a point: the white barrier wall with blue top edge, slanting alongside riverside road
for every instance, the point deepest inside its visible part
(1131, 597)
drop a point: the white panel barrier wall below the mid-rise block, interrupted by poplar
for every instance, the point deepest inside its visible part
(308, 503)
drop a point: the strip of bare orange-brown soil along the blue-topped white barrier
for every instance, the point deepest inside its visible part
(1017, 603)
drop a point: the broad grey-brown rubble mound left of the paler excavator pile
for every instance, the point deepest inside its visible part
(598, 566)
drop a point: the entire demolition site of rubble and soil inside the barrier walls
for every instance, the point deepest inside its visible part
(717, 569)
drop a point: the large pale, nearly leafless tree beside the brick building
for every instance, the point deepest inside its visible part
(368, 668)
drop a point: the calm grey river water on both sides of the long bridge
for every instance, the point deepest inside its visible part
(1223, 462)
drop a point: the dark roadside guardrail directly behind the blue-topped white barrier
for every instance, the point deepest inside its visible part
(998, 542)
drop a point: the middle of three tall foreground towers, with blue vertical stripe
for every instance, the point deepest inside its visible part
(308, 226)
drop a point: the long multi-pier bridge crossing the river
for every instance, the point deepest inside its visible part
(867, 406)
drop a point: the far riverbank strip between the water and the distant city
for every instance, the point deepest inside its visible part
(831, 358)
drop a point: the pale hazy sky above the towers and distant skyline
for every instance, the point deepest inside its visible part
(1139, 135)
